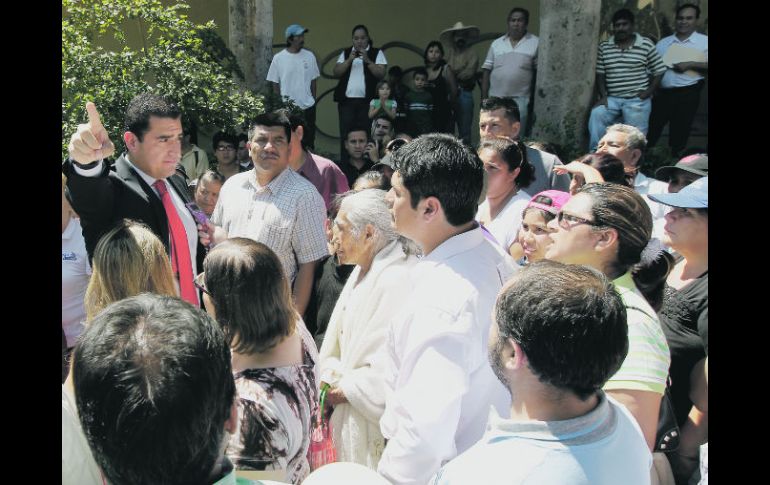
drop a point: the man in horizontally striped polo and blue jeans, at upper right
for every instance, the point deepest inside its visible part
(628, 70)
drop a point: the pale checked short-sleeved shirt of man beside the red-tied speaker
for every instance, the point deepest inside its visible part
(287, 215)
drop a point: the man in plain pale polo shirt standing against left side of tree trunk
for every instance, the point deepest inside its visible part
(511, 63)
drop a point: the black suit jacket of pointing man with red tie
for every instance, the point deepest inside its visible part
(117, 193)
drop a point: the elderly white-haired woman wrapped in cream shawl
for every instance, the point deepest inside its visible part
(364, 236)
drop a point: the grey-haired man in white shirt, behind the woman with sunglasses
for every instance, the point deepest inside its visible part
(628, 144)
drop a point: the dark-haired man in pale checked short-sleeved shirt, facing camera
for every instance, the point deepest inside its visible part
(274, 205)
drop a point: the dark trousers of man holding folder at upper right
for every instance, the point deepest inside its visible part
(677, 107)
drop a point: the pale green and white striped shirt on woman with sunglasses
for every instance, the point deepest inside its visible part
(646, 365)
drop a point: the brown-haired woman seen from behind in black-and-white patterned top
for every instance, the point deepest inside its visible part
(274, 357)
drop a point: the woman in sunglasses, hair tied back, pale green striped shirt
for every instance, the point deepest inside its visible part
(607, 226)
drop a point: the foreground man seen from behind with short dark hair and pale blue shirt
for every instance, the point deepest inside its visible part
(559, 334)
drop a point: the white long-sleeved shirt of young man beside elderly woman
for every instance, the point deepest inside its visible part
(439, 383)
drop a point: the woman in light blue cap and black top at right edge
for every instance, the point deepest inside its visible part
(685, 318)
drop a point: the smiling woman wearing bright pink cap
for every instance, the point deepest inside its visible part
(533, 236)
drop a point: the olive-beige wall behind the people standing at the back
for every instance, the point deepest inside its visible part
(414, 22)
